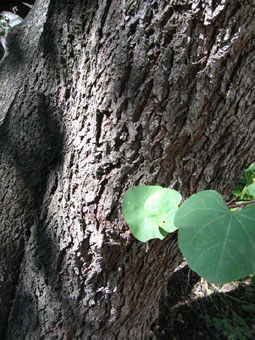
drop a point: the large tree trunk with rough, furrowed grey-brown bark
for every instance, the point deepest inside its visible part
(96, 97)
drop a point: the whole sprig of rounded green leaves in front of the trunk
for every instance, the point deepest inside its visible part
(218, 241)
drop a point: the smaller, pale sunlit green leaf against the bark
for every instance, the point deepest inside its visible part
(150, 211)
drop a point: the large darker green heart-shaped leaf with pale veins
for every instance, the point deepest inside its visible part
(218, 244)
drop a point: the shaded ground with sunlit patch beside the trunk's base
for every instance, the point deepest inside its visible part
(194, 309)
